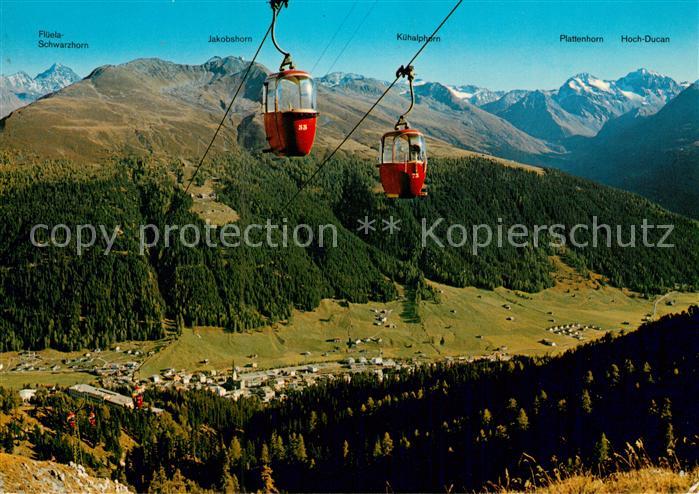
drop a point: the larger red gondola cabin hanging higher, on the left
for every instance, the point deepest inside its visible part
(290, 112)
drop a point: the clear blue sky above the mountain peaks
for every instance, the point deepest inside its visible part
(496, 44)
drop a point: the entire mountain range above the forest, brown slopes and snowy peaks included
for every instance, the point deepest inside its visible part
(159, 108)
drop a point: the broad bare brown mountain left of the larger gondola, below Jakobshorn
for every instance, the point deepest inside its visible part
(143, 107)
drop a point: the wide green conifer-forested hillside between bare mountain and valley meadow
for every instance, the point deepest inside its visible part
(53, 297)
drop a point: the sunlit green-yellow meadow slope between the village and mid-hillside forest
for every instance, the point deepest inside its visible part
(477, 312)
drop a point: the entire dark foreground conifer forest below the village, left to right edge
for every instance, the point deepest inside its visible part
(440, 426)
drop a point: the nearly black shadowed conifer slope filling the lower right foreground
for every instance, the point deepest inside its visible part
(465, 425)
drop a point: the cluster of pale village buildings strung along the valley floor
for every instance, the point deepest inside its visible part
(232, 383)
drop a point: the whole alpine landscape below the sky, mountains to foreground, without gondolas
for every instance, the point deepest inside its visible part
(384, 359)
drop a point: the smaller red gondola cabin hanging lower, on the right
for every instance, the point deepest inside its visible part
(403, 163)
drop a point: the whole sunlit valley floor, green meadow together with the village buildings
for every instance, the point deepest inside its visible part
(371, 344)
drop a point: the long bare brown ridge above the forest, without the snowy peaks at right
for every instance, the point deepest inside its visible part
(155, 107)
